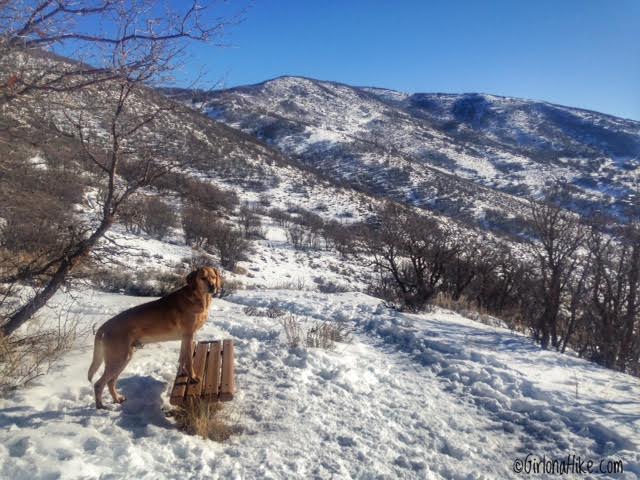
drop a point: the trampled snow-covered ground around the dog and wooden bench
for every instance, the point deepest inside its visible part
(413, 396)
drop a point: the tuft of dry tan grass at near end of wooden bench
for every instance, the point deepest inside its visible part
(208, 420)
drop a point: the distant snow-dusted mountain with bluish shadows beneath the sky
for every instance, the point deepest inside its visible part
(458, 154)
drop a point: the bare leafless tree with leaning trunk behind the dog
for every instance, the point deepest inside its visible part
(113, 132)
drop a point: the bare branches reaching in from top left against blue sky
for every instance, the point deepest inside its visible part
(90, 31)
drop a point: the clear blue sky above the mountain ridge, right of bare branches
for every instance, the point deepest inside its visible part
(583, 53)
